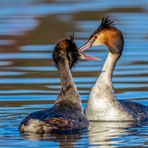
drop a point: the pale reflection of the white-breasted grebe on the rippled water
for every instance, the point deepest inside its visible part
(104, 134)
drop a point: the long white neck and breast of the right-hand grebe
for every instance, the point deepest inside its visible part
(102, 98)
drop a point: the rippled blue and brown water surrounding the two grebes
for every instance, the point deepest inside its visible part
(28, 80)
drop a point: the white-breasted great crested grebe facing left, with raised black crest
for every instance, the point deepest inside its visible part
(103, 104)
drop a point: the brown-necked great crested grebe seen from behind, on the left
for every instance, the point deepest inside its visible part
(66, 115)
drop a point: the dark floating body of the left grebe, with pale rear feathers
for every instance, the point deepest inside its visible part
(63, 117)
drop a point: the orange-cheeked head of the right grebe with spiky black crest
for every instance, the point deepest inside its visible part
(106, 34)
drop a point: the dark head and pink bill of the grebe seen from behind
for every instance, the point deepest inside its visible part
(66, 50)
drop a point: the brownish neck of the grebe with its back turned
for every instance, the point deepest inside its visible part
(68, 90)
